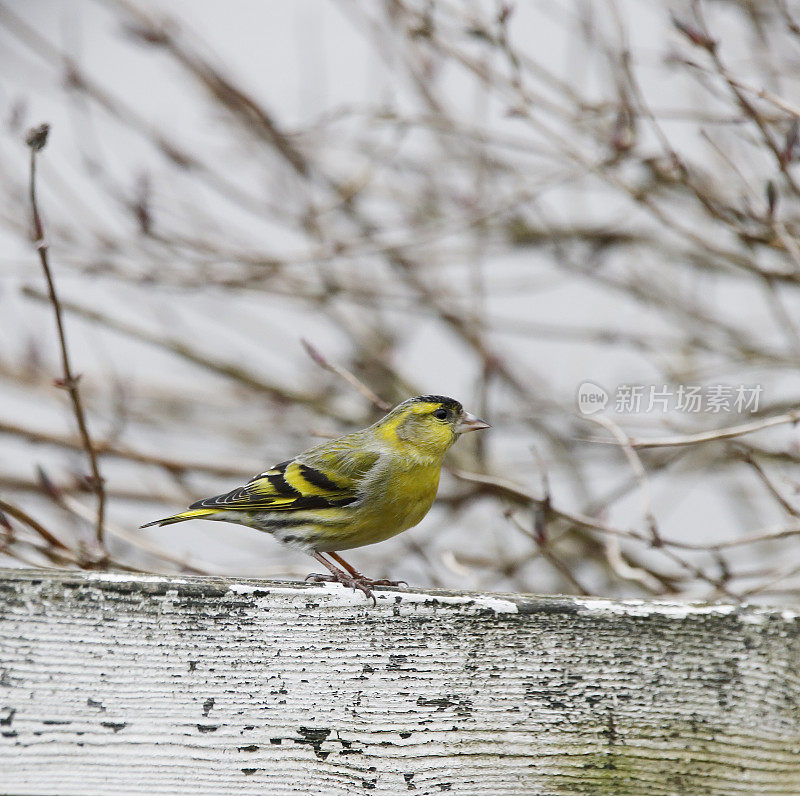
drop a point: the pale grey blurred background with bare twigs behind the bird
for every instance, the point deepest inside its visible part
(530, 183)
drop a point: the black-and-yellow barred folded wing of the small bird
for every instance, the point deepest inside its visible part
(322, 479)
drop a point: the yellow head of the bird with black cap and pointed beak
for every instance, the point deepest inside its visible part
(429, 423)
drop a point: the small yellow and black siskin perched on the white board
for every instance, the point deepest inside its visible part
(356, 490)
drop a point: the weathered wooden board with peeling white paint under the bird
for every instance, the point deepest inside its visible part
(123, 684)
